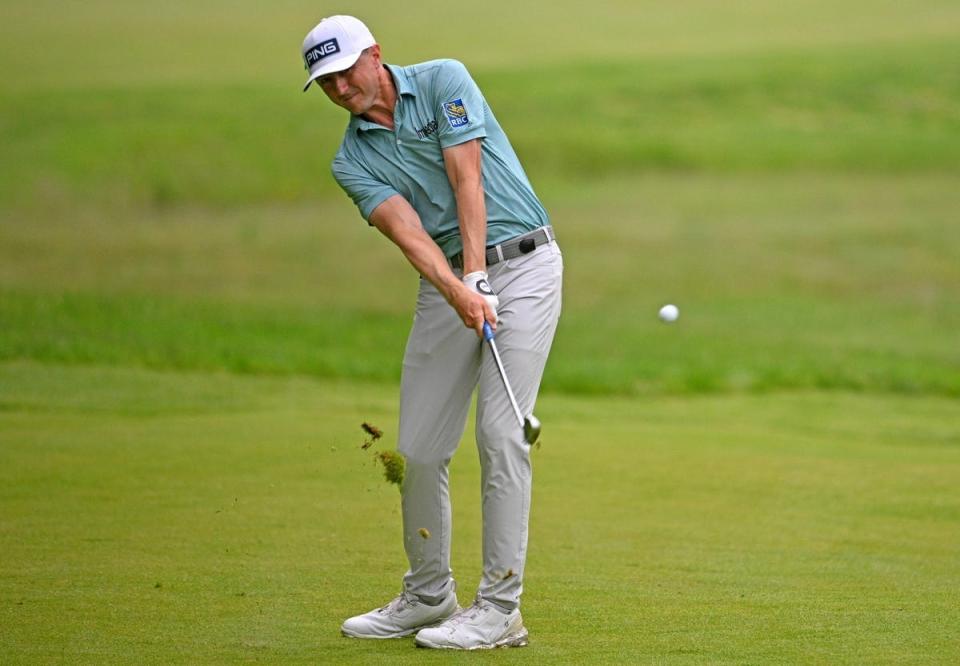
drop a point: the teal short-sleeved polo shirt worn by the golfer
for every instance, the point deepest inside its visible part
(438, 106)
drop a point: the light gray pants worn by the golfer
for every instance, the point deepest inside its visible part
(443, 363)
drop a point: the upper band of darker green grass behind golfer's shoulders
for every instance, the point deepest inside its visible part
(881, 108)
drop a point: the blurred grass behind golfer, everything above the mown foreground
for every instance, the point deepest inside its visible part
(785, 172)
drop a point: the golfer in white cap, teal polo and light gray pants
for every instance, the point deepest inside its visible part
(427, 164)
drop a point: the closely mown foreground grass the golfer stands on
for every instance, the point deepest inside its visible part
(206, 518)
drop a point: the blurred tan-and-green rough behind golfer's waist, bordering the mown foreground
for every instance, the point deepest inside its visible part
(783, 282)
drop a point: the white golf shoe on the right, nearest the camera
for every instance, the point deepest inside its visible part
(481, 626)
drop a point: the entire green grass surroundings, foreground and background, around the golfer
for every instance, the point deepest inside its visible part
(194, 322)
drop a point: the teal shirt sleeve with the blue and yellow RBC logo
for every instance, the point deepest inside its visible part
(461, 108)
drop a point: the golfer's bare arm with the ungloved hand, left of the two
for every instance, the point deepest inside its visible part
(396, 219)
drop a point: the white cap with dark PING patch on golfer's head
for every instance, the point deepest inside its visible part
(334, 45)
